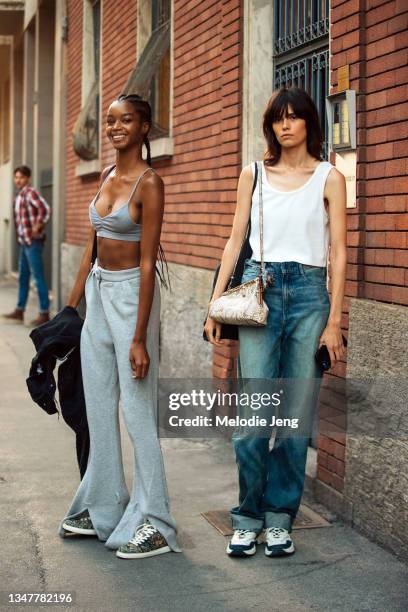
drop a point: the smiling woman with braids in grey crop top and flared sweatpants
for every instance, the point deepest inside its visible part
(120, 347)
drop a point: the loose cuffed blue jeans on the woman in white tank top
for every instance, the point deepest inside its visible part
(271, 482)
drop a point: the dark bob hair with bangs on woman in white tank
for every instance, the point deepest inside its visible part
(304, 107)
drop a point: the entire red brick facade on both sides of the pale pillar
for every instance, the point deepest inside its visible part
(201, 177)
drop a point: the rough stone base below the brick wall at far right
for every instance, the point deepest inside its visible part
(375, 499)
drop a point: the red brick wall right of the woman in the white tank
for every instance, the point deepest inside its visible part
(371, 36)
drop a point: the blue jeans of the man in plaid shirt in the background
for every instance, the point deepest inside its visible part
(31, 262)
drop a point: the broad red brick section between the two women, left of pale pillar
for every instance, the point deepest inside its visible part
(202, 175)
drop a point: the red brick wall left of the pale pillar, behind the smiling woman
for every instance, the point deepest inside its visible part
(202, 175)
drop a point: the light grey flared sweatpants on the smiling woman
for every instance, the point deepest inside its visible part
(112, 301)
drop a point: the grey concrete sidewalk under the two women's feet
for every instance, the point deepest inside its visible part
(334, 568)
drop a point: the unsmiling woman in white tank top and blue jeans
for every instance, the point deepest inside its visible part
(304, 212)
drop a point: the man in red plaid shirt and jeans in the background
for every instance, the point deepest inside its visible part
(31, 213)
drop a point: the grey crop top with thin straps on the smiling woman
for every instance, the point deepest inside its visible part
(118, 225)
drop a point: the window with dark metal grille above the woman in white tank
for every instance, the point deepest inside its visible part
(301, 51)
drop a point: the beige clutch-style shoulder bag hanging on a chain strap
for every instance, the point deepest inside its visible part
(244, 305)
